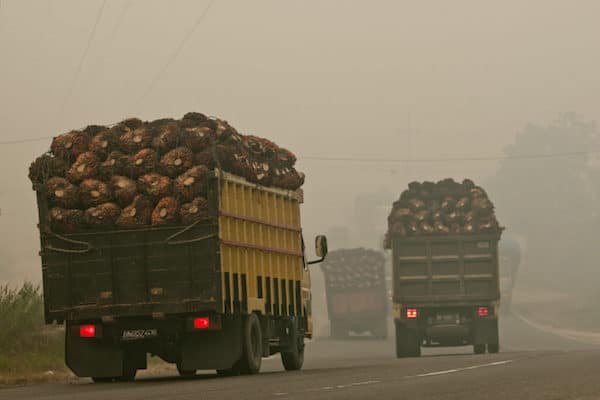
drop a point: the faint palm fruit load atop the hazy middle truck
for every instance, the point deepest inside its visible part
(354, 269)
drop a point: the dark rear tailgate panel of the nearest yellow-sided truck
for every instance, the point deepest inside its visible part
(130, 272)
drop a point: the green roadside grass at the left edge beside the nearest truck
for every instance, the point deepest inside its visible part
(28, 347)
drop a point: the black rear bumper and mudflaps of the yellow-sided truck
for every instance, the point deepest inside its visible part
(112, 352)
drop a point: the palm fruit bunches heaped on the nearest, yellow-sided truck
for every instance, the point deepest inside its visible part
(137, 173)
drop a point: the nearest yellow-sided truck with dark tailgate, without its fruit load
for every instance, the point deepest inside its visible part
(220, 294)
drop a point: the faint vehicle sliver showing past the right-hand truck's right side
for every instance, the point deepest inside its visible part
(510, 260)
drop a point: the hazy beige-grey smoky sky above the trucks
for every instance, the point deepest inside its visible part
(323, 78)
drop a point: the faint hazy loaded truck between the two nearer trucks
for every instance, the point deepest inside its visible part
(356, 292)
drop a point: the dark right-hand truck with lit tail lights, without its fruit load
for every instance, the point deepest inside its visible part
(446, 292)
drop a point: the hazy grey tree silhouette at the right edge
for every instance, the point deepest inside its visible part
(553, 201)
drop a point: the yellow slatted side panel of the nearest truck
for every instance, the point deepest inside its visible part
(262, 261)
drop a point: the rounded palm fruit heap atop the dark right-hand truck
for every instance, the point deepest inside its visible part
(443, 208)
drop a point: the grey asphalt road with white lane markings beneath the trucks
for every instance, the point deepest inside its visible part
(532, 365)
